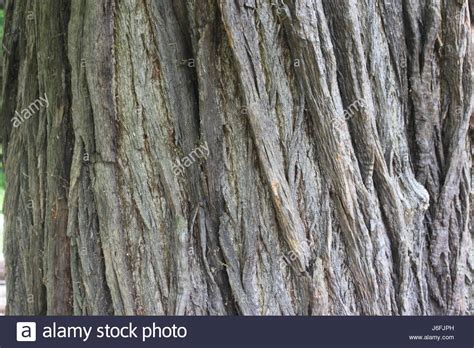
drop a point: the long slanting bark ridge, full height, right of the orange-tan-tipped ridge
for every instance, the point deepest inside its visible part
(313, 45)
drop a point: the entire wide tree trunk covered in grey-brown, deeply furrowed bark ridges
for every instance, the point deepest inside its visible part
(336, 171)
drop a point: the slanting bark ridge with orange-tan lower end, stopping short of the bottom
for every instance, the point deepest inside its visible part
(264, 129)
